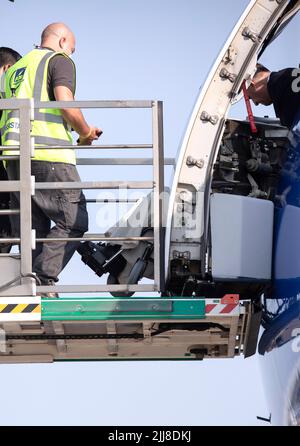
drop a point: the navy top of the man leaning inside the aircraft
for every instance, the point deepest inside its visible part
(284, 89)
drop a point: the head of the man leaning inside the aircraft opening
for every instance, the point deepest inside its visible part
(258, 90)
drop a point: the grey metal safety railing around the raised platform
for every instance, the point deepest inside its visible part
(27, 187)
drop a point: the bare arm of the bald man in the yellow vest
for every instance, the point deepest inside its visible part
(74, 117)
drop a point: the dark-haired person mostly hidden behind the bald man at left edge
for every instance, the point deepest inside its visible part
(8, 57)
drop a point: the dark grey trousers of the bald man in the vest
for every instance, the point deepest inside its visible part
(66, 208)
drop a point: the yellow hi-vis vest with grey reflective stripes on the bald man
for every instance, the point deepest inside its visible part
(49, 127)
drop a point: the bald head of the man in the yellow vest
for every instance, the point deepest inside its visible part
(58, 37)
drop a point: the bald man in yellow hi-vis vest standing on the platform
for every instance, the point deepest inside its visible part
(47, 73)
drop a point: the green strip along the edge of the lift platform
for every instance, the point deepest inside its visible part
(103, 309)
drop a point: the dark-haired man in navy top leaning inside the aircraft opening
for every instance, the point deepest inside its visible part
(280, 89)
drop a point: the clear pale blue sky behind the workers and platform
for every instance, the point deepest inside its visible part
(135, 49)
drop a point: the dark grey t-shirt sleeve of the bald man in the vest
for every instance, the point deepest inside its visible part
(61, 72)
